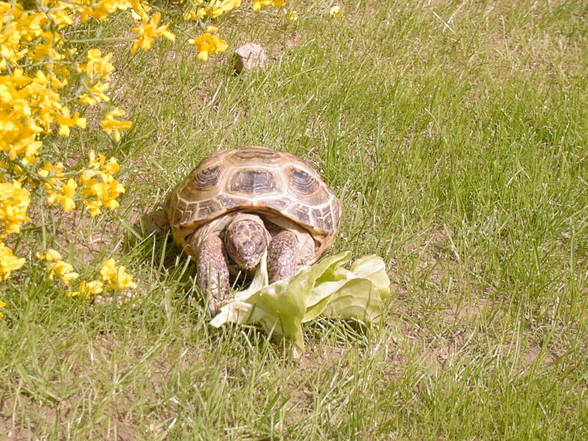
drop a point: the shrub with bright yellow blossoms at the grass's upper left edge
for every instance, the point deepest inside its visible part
(46, 82)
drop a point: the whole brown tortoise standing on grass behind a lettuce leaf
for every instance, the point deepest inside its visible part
(236, 204)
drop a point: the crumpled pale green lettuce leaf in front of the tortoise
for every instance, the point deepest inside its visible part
(323, 288)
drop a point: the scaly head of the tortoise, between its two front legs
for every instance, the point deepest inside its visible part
(246, 241)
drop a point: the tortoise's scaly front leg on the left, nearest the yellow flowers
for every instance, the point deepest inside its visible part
(213, 272)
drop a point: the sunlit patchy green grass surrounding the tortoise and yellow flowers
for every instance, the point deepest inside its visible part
(455, 133)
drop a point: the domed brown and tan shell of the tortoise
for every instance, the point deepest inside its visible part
(256, 180)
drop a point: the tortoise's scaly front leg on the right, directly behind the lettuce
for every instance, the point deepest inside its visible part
(283, 256)
